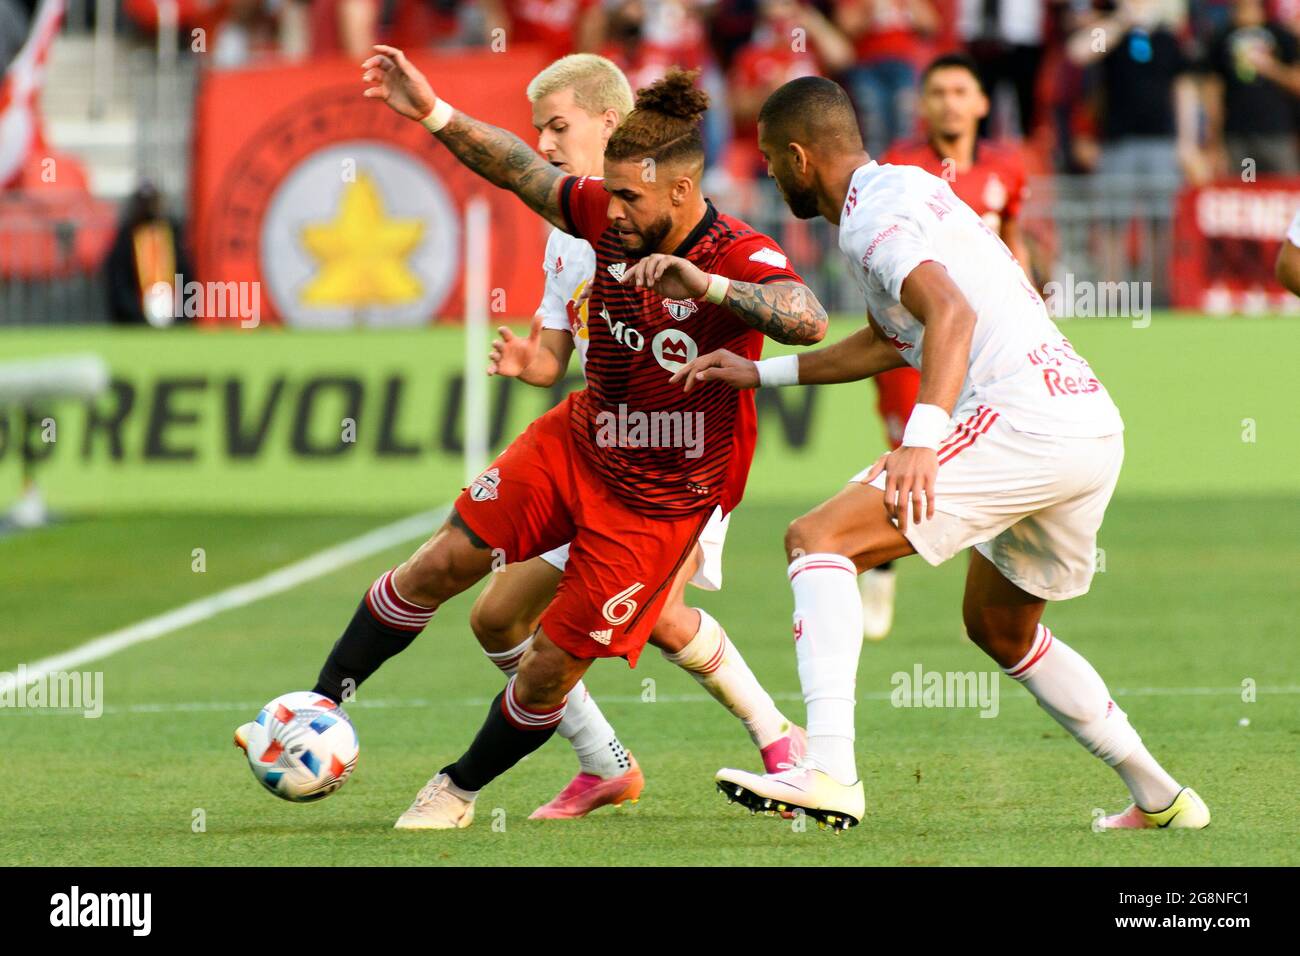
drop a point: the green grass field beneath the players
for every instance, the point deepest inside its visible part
(1198, 600)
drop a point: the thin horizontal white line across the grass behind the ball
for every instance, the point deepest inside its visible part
(418, 703)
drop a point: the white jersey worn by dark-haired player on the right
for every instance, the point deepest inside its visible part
(898, 218)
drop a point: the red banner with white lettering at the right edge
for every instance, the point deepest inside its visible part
(1227, 240)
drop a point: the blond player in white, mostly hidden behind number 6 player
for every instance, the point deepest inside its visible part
(578, 102)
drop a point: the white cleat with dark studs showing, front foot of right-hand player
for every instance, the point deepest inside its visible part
(816, 793)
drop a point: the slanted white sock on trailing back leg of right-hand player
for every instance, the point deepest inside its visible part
(1069, 689)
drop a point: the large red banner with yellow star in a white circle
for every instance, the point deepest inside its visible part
(344, 213)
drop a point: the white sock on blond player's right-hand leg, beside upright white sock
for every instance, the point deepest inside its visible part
(717, 664)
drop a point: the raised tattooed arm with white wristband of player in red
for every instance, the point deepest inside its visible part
(497, 155)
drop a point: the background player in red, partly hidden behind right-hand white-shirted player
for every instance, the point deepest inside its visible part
(990, 179)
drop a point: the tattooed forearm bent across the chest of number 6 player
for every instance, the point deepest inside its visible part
(785, 312)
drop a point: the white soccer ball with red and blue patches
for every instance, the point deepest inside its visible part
(301, 747)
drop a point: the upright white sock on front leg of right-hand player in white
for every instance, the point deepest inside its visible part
(827, 643)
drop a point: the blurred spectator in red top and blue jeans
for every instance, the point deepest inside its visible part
(890, 40)
